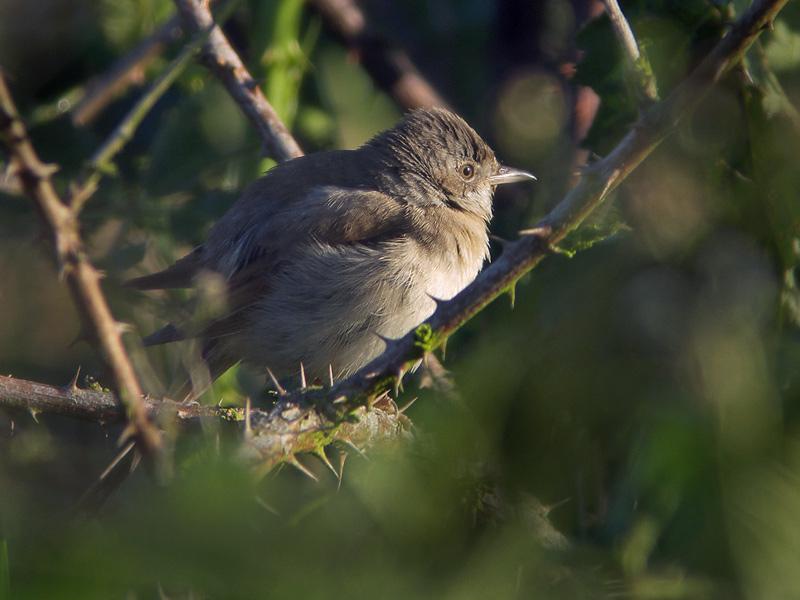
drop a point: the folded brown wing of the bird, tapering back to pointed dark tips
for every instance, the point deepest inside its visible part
(247, 248)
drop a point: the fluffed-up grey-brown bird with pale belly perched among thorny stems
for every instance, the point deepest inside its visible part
(329, 255)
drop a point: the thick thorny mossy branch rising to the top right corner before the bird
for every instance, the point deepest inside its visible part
(329, 408)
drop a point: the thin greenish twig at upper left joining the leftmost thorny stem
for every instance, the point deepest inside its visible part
(101, 161)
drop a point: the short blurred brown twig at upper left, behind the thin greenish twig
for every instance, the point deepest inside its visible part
(124, 72)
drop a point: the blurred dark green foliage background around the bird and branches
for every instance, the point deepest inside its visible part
(642, 398)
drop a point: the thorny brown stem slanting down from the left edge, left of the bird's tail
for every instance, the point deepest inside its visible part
(83, 279)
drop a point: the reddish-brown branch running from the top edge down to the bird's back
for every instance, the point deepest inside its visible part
(223, 61)
